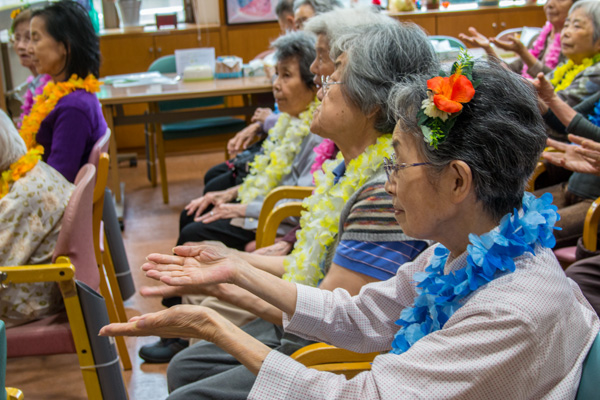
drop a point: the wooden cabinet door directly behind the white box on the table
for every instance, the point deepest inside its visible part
(167, 44)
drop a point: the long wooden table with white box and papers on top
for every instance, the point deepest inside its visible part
(113, 99)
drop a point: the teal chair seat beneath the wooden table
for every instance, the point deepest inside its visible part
(202, 127)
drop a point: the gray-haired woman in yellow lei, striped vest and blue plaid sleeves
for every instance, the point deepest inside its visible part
(348, 236)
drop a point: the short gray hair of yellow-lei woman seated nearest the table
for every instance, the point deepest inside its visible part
(301, 47)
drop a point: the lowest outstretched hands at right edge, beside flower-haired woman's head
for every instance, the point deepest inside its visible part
(584, 158)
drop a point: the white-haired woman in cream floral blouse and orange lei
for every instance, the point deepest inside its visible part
(33, 197)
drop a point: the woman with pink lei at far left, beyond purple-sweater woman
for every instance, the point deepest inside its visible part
(20, 39)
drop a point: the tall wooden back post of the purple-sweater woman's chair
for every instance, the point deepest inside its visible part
(109, 286)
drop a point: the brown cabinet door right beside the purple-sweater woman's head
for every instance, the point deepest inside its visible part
(125, 55)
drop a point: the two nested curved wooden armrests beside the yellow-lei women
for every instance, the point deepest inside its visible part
(270, 217)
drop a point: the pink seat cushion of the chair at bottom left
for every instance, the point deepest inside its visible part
(51, 335)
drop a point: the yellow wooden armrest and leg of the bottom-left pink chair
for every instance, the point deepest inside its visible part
(63, 272)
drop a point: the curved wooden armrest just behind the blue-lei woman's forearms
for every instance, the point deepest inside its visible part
(321, 353)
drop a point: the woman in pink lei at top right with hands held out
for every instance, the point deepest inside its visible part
(543, 55)
